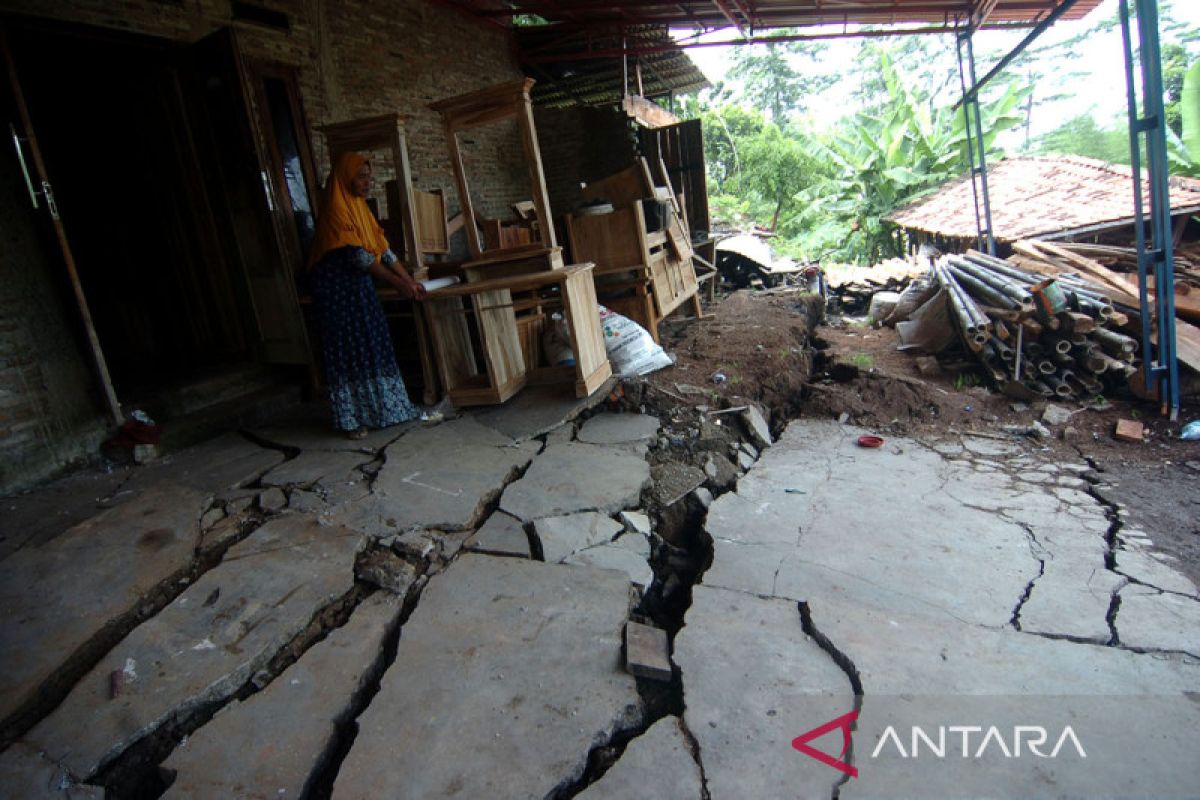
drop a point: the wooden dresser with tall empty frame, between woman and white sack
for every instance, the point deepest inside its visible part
(487, 334)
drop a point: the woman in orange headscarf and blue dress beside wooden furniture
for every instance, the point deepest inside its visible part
(350, 250)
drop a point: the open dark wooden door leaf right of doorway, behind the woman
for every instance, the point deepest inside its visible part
(259, 224)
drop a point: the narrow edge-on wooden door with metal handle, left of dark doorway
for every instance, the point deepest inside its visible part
(41, 195)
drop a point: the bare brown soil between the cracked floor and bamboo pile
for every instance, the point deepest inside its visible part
(776, 352)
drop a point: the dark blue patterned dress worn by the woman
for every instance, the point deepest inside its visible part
(365, 387)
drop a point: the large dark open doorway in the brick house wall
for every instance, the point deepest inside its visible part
(166, 201)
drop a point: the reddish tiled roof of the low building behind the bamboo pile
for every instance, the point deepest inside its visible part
(1041, 196)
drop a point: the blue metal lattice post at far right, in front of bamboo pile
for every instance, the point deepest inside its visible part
(1155, 256)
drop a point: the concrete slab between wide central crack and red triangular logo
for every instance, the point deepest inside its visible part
(753, 682)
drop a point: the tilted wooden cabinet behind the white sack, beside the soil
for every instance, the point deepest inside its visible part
(641, 248)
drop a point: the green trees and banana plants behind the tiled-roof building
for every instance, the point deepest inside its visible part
(825, 187)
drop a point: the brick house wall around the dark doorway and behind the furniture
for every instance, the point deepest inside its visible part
(355, 58)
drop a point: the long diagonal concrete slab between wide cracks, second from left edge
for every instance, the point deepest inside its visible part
(206, 645)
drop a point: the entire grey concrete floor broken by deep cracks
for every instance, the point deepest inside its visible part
(439, 612)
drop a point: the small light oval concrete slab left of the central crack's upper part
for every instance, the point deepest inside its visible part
(566, 479)
